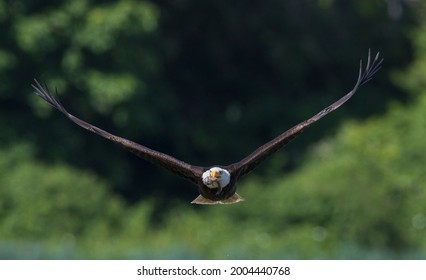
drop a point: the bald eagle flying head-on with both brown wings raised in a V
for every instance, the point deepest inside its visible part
(217, 184)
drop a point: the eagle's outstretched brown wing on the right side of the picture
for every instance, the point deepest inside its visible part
(258, 156)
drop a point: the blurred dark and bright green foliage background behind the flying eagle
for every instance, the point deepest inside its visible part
(208, 82)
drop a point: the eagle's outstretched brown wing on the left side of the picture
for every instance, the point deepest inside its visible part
(170, 163)
